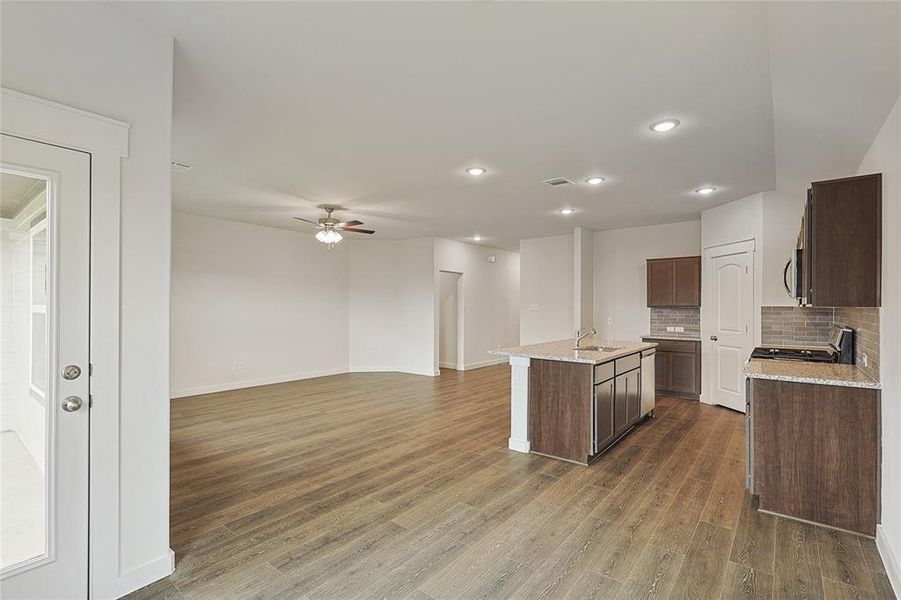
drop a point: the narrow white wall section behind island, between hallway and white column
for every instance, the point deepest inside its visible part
(546, 289)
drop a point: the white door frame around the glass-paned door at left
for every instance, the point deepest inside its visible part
(106, 140)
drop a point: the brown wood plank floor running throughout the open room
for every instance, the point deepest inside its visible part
(388, 485)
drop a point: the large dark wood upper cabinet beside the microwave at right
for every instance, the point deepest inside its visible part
(841, 237)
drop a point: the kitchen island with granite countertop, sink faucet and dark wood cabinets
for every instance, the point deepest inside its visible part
(574, 404)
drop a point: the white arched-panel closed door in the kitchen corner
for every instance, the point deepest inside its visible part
(732, 336)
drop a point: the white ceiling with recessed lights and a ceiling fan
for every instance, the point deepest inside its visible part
(378, 107)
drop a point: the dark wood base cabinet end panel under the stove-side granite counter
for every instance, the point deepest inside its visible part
(815, 452)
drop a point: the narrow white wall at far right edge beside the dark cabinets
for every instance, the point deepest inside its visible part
(884, 156)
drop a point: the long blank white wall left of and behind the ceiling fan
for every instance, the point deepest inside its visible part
(273, 301)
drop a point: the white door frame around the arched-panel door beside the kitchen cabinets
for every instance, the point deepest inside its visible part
(707, 325)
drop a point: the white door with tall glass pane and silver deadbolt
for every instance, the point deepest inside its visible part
(44, 271)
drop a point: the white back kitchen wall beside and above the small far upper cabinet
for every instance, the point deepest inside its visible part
(620, 273)
